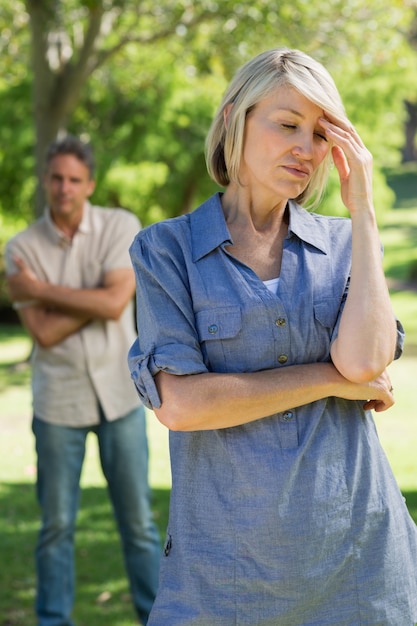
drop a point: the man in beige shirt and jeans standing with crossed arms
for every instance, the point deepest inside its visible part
(70, 277)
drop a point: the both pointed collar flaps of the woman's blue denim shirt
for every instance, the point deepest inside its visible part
(209, 229)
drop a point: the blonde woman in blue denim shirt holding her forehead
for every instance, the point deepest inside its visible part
(265, 332)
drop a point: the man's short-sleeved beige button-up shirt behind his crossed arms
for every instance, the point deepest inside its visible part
(90, 366)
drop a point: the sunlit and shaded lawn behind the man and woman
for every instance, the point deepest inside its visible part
(102, 593)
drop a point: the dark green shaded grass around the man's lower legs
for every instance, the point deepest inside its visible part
(102, 589)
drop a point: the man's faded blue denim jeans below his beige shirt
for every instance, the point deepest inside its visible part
(124, 459)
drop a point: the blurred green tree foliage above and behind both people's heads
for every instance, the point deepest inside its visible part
(141, 80)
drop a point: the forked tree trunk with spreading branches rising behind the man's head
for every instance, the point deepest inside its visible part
(72, 40)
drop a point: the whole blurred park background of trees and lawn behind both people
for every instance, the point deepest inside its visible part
(141, 80)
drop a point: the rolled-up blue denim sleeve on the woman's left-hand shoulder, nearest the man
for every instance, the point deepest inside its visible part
(167, 338)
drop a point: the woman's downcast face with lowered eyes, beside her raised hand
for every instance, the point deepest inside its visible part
(283, 145)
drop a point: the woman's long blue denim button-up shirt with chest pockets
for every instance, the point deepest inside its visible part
(293, 519)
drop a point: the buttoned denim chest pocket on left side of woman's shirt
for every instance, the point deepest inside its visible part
(218, 332)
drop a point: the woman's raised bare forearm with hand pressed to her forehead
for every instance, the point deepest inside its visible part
(367, 335)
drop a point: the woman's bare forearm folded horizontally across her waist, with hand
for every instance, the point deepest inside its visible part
(210, 400)
